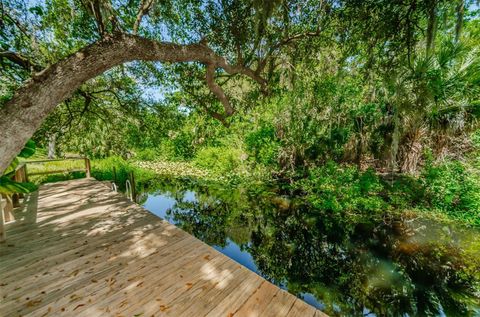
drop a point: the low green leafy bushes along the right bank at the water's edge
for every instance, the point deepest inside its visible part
(450, 189)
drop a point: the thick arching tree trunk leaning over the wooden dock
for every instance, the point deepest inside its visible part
(24, 113)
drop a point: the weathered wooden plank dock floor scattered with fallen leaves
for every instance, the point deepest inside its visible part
(79, 249)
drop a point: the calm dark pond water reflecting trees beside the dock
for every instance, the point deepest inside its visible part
(346, 267)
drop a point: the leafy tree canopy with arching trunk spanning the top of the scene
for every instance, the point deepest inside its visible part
(346, 80)
